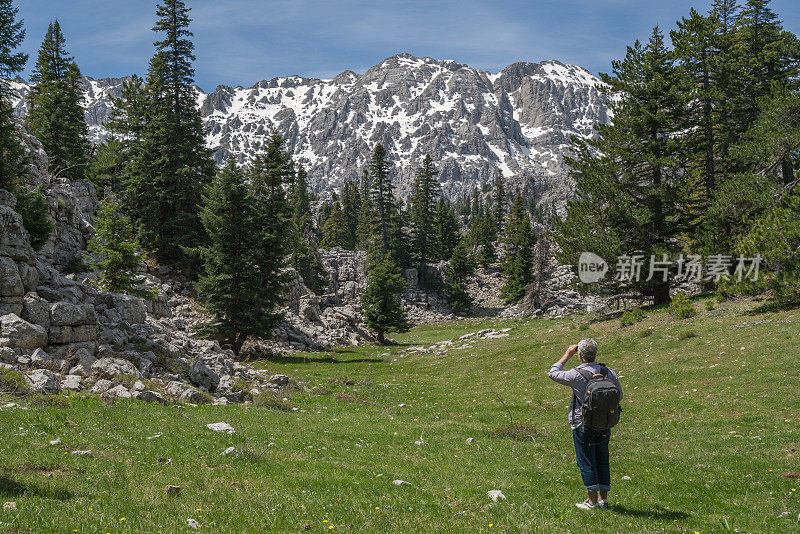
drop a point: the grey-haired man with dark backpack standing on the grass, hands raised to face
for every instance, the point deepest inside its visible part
(593, 410)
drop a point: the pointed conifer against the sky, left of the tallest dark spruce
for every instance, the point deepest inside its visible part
(55, 113)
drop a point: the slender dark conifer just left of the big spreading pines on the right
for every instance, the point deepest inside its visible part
(518, 264)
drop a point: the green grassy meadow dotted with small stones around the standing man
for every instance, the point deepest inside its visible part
(709, 438)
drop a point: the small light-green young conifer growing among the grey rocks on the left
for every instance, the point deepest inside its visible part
(116, 248)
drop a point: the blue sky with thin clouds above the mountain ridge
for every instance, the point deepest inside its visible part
(239, 42)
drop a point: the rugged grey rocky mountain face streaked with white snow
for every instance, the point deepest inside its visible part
(472, 122)
